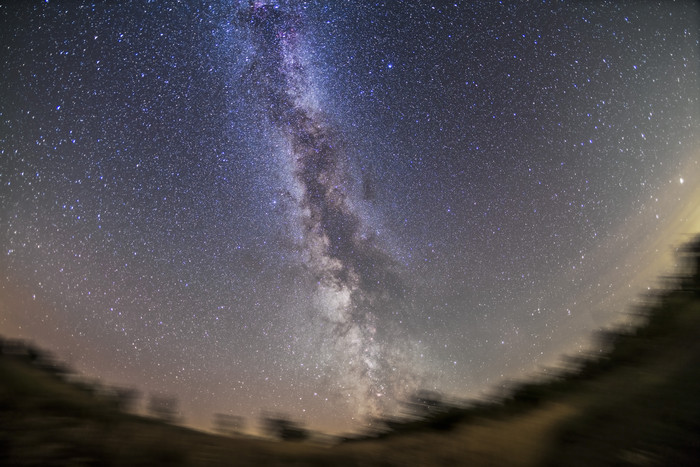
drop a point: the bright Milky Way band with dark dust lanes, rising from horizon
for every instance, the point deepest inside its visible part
(355, 283)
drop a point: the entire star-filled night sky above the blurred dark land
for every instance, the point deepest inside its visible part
(319, 207)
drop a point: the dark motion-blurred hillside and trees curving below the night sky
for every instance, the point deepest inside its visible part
(635, 402)
